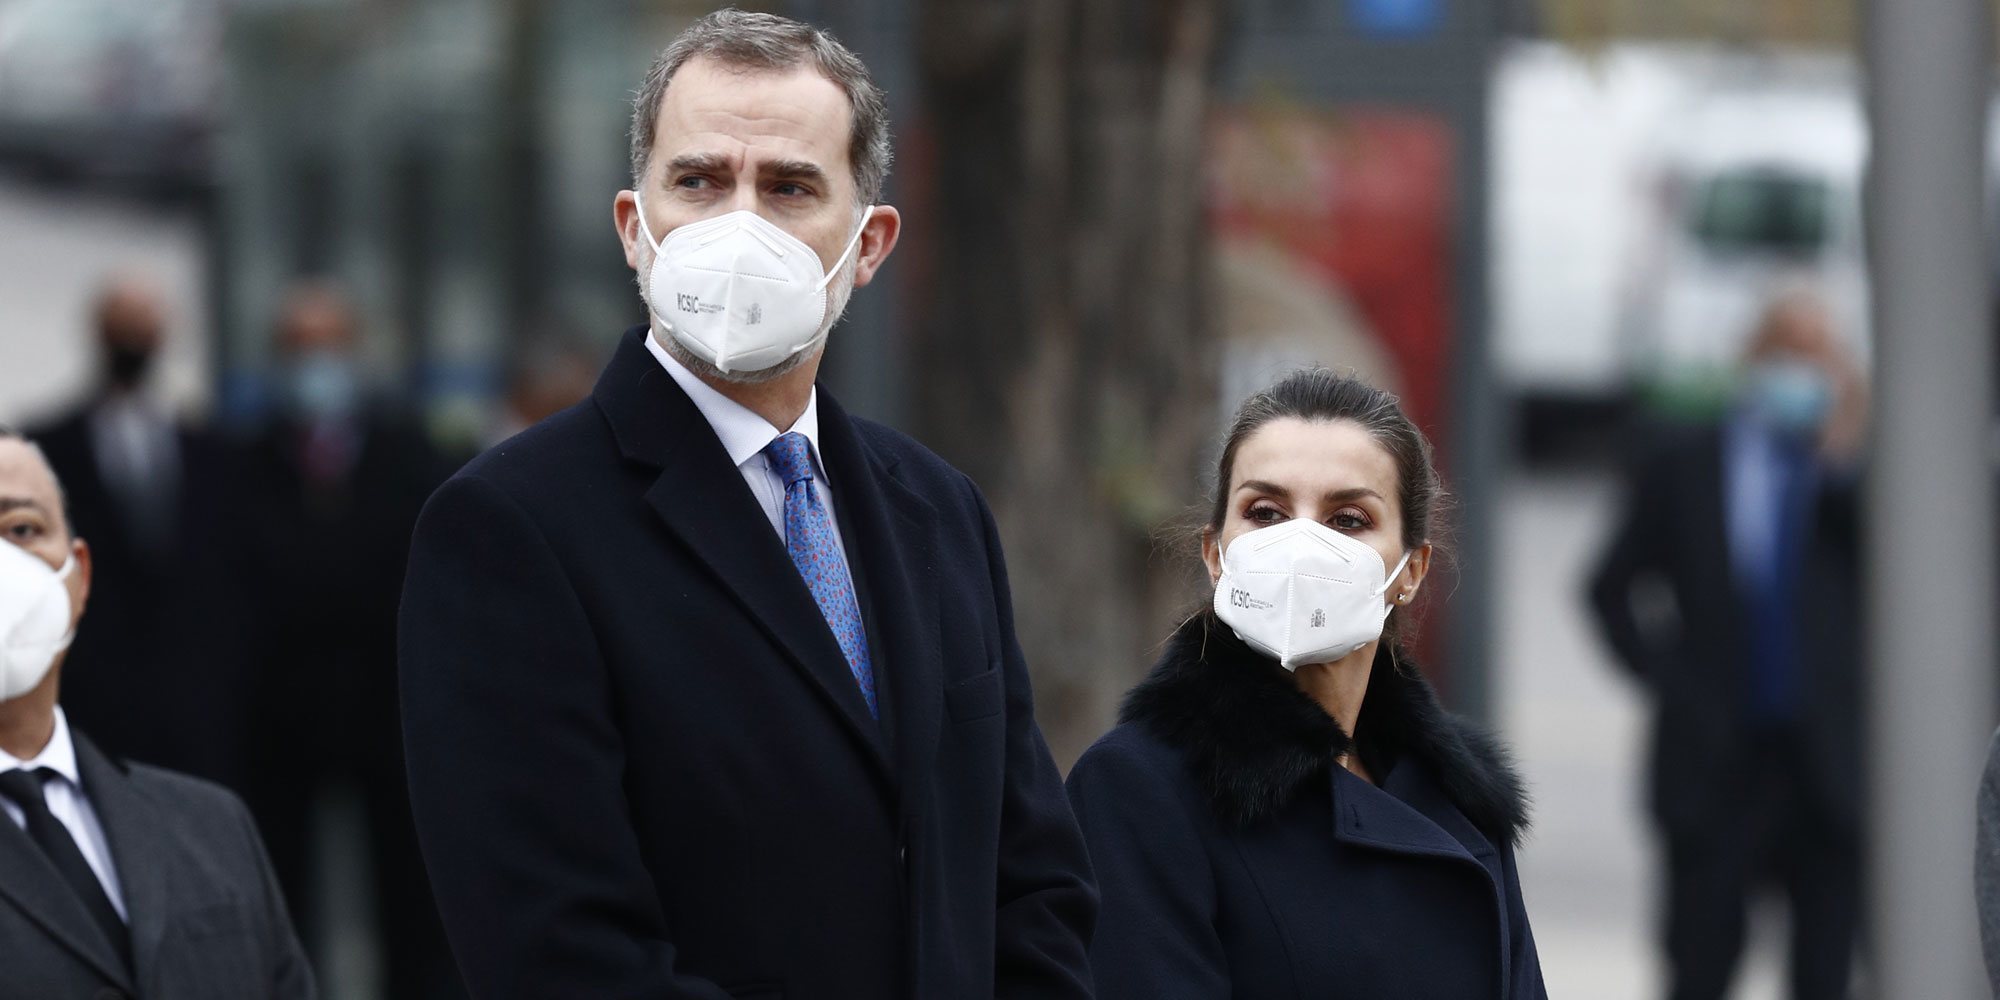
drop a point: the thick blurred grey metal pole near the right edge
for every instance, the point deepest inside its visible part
(1931, 495)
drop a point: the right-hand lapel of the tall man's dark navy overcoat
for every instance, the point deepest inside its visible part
(893, 545)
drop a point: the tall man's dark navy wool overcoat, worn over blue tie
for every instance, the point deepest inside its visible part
(641, 765)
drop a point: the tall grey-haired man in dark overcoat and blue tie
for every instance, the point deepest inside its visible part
(699, 709)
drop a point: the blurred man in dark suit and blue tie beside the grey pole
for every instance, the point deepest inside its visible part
(1751, 529)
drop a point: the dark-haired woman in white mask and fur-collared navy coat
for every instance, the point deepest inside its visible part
(1285, 811)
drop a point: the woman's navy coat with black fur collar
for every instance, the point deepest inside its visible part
(1239, 861)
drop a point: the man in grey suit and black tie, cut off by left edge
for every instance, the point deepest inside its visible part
(117, 879)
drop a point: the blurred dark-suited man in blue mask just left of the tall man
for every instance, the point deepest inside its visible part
(333, 487)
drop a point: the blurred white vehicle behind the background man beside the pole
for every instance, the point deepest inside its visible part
(1647, 203)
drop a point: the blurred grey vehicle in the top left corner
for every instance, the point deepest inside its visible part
(111, 89)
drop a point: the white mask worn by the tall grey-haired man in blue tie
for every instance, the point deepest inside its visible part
(741, 293)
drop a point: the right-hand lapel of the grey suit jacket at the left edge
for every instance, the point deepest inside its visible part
(135, 833)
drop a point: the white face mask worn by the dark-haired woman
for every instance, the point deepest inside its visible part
(1303, 593)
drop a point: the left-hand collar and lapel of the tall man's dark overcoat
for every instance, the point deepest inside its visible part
(707, 505)
